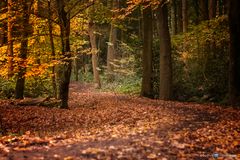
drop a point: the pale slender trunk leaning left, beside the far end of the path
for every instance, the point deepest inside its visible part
(94, 51)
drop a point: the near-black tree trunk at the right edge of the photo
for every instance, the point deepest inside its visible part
(234, 60)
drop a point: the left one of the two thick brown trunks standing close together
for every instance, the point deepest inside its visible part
(147, 86)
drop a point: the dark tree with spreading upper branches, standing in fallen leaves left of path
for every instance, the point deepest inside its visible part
(62, 12)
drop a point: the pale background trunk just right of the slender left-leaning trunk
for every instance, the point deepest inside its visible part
(111, 51)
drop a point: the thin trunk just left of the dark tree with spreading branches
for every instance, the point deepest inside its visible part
(50, 28)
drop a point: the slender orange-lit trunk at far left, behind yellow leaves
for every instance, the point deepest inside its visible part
(10, 39)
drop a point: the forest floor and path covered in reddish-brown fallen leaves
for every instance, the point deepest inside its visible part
(101, 125)
